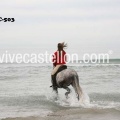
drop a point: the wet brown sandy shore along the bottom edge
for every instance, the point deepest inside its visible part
(76, 114)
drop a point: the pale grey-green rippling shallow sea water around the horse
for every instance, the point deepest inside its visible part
(25, 91)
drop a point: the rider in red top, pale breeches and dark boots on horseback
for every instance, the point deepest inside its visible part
(59, 59)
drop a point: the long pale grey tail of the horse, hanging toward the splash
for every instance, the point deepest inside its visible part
(78, 89)
